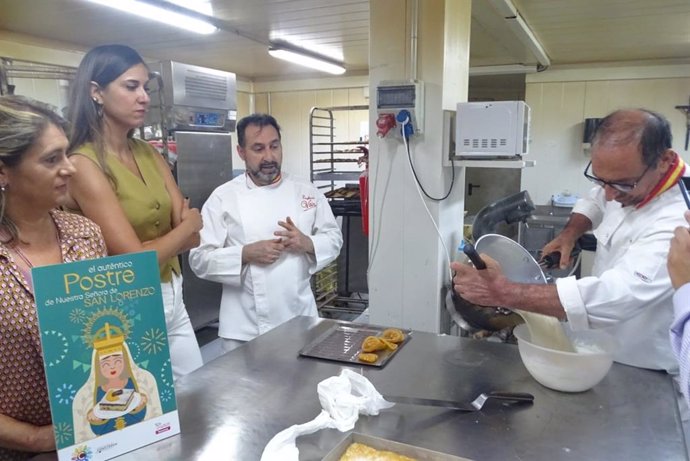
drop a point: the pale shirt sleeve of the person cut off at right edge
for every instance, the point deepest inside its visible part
(680, 337)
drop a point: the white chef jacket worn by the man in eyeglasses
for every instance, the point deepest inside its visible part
(629, 293)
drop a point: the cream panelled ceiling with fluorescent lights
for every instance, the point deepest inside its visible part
(570, 31)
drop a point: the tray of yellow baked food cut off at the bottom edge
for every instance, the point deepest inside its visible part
(362, 447)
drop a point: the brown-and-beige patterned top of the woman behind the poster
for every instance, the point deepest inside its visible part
(23, 393)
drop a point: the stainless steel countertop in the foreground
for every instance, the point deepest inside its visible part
(231, 407)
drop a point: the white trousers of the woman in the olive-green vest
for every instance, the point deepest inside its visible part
(185, 355)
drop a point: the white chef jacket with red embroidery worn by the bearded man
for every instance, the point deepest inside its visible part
(257, 298)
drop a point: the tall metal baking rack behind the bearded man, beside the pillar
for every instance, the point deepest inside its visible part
(335, 171)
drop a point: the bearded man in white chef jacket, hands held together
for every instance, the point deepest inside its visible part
(265, 233)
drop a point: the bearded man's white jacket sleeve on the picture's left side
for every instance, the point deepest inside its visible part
(212, 259)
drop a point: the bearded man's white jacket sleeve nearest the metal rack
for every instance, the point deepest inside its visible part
(326, 235)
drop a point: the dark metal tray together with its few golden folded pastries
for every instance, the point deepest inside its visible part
(357, 343)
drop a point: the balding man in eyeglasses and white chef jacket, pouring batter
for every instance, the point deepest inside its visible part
(632, 211)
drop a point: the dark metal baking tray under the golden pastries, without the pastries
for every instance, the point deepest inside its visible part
(343, 343)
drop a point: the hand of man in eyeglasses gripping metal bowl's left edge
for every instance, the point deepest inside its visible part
(483, 287)
